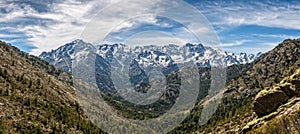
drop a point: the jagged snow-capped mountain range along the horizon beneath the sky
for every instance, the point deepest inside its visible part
(147, 56)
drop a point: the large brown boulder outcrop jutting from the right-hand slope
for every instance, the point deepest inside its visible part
(269, 99)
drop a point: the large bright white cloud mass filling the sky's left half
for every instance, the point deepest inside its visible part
(63, 21)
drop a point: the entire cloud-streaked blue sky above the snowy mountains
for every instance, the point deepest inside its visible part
(47, 25)
